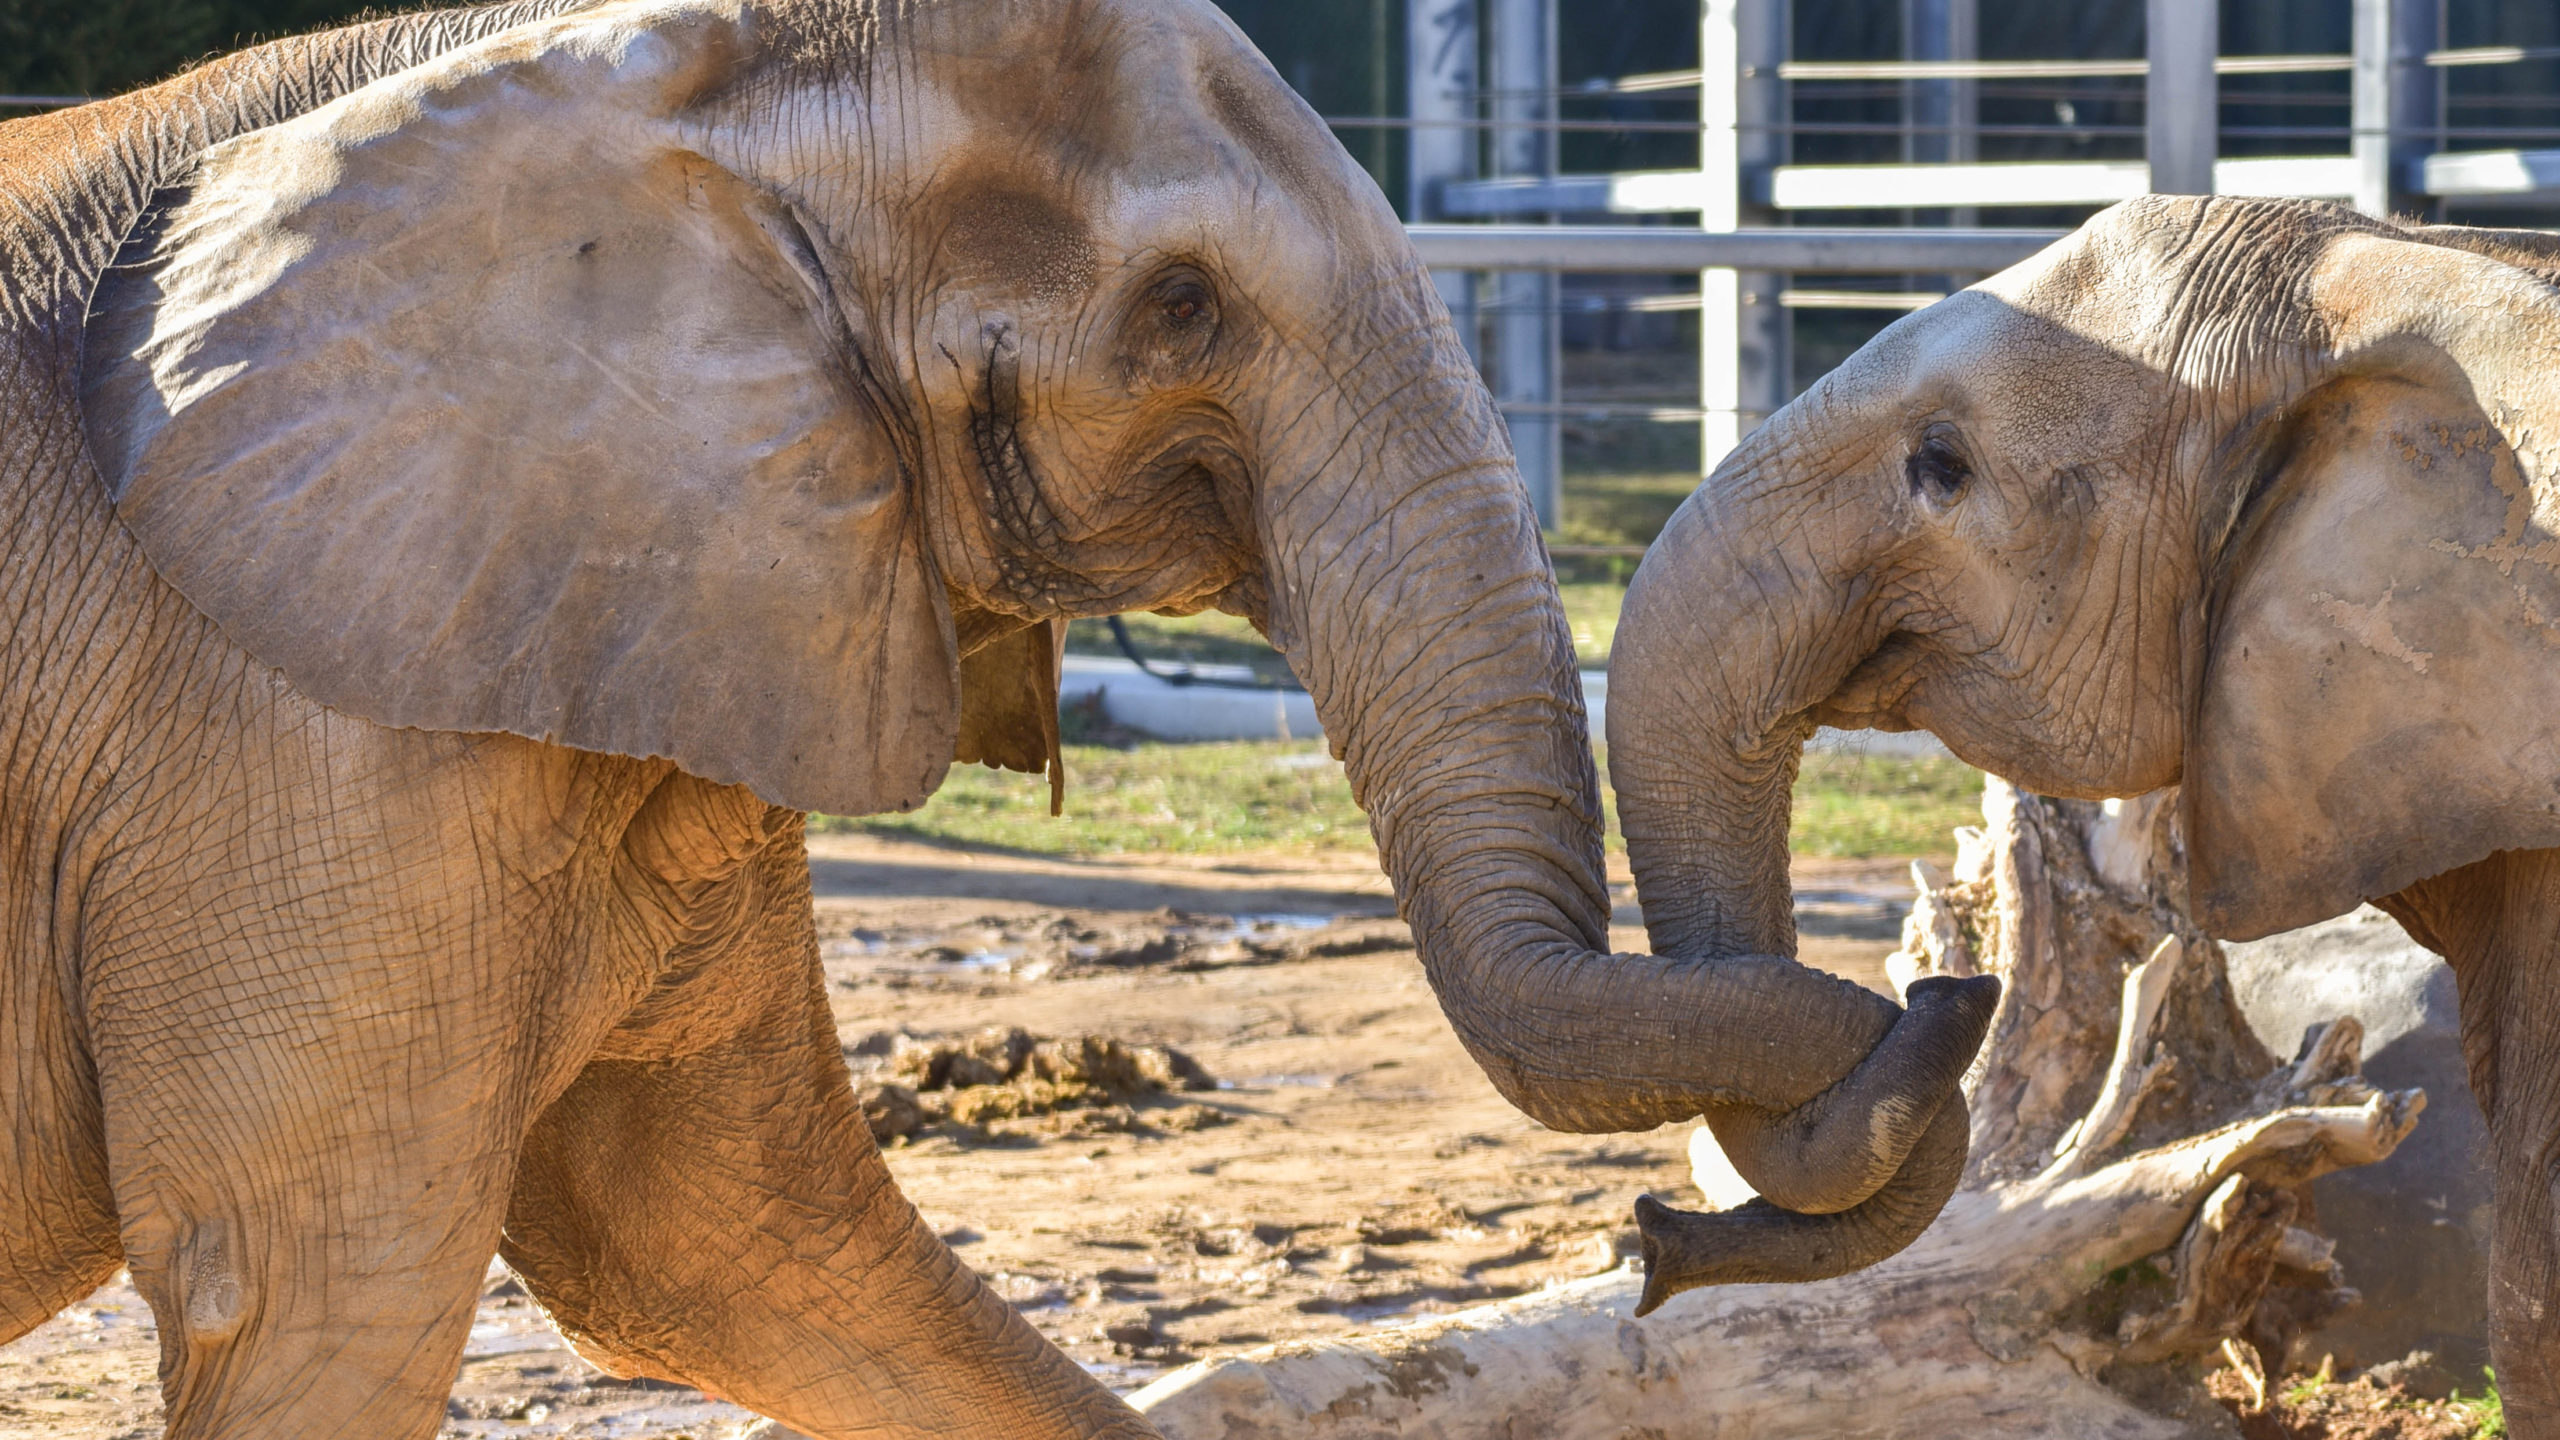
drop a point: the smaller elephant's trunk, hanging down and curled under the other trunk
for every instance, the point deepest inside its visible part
(1724, 650)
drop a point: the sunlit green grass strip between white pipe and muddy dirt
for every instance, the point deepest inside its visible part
(1286, 796)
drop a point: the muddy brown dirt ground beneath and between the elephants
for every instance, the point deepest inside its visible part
(1348, 1170)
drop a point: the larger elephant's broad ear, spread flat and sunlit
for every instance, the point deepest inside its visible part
(477, 401)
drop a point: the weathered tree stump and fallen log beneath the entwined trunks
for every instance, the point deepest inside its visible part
(2139, 1198)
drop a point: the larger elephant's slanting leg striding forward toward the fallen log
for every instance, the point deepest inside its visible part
(723, 1218)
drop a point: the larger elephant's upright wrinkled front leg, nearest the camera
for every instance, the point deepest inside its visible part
(308, 1131)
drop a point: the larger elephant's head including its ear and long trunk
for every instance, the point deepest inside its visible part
(764, 386)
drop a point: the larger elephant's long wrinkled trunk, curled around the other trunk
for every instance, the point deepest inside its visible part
(1466, 744)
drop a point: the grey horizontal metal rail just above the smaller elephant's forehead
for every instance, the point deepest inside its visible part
(1655, 250)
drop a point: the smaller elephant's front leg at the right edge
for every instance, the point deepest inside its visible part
(2500, 926)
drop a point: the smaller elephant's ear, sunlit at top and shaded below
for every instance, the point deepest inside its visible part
(2382, 693)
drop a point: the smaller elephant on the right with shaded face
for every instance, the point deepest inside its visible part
(2244, 496)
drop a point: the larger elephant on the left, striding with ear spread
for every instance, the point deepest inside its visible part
(483, 478)
